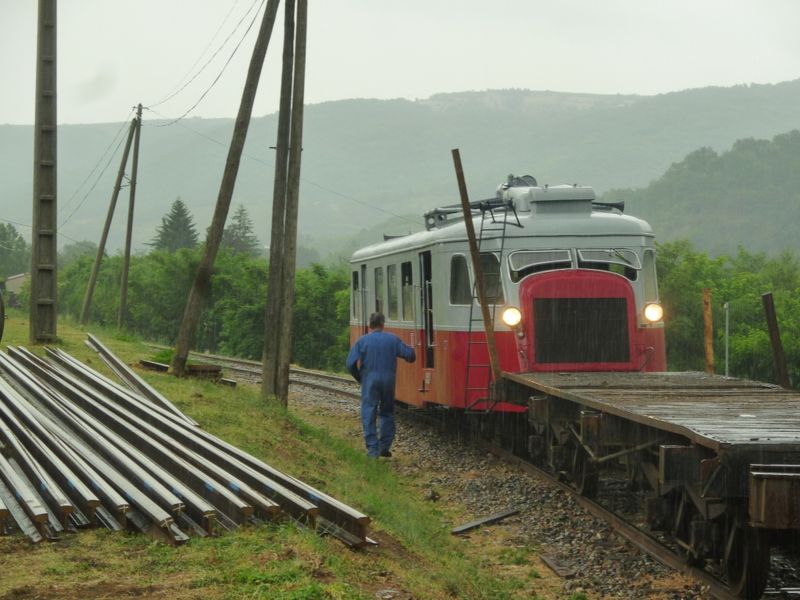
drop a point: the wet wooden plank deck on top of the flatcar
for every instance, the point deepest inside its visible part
(710, 410)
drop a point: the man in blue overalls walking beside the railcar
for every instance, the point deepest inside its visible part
(373, 363)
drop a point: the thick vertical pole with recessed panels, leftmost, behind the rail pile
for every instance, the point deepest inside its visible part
(44, 242)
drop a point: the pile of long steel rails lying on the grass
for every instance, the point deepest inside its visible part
(78, 450)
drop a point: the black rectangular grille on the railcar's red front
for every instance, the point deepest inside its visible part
(581, 330)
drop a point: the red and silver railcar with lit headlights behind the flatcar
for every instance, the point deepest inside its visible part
(571, 284)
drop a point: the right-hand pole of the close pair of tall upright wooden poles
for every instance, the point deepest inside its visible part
(292, 204)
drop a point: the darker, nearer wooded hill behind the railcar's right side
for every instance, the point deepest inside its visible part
(748, 196)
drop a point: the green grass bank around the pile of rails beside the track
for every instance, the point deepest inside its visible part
(416, 555)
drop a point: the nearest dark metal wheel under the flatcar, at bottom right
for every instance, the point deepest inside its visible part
(747, 561)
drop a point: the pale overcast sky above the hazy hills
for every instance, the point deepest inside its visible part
(113, 54)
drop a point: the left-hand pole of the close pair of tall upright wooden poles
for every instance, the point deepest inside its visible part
(272, 329)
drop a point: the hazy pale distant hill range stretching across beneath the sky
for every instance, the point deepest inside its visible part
(366, 161)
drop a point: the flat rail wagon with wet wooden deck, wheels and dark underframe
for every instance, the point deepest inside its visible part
(719, 457)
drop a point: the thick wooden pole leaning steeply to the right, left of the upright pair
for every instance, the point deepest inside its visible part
(202, 281)
